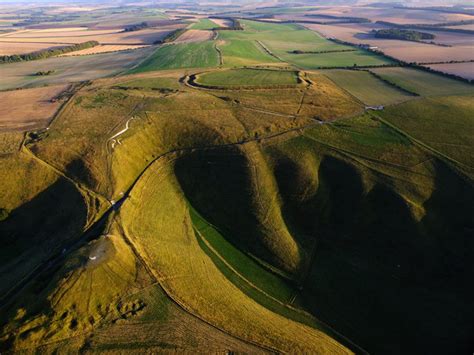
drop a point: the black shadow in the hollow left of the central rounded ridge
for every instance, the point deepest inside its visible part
(218, 185)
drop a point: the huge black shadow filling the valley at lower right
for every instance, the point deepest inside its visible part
(387, 282)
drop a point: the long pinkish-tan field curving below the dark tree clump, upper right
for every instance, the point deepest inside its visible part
(404, 50)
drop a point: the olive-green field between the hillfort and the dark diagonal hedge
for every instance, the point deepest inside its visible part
(367, 88)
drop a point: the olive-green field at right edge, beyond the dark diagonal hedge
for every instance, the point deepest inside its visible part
(423, 83)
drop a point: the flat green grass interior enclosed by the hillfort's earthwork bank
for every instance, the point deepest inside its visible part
(235, 78)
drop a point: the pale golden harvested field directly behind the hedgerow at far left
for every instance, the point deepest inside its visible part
(146, 36)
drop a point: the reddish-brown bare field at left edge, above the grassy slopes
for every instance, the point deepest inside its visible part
(29, 108)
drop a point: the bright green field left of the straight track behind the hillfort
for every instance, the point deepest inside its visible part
(185, 55)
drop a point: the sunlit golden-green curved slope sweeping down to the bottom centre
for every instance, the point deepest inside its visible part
(197, 282)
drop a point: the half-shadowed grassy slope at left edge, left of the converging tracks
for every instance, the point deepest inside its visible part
(46, 211)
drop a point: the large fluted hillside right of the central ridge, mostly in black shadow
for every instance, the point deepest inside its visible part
(383, 230)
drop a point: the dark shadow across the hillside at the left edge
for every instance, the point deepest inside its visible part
(33, 234)
